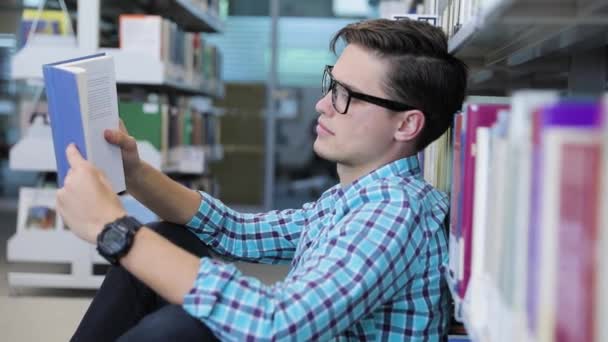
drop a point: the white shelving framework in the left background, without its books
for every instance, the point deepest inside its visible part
(58, 245)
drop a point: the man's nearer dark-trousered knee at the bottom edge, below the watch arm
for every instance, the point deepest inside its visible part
(170, 323)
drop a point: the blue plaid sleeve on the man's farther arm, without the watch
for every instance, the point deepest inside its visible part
(269, 237)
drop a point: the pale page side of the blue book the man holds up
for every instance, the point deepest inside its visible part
(101, 113)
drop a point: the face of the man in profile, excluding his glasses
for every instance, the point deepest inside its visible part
(364, 134)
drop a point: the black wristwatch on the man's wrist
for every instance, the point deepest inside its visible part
(116, 239)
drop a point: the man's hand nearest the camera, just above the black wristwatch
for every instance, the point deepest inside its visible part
(86, 202)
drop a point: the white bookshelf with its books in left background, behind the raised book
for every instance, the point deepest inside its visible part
(148, 87)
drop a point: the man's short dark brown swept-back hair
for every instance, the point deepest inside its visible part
(421, 73)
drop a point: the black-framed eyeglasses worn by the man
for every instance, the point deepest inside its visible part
(341, 95)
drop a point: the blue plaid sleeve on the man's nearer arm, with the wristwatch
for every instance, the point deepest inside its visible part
(360, 264)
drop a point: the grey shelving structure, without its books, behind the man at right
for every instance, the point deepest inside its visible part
(517, 44)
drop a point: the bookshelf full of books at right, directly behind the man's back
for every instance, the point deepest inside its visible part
(513, 47)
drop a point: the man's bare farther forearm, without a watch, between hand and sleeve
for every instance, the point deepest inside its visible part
(170, 200)
